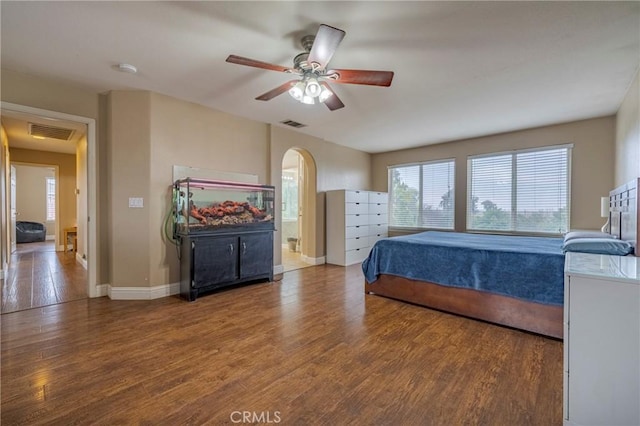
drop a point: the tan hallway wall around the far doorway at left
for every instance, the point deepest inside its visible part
(66, 164)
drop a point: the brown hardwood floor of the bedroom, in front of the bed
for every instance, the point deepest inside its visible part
(311, 349)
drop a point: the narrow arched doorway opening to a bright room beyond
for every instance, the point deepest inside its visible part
(298, 185)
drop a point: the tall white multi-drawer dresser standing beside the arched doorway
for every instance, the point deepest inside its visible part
(355, 220)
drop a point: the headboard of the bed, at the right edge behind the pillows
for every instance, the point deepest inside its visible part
(624, 207)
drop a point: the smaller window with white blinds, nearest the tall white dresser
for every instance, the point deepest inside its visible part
(422, 195)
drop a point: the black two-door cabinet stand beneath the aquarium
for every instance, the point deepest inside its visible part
(210, 262)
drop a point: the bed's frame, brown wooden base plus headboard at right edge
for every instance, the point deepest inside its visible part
(529, 316)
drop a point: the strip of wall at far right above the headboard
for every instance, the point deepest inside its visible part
(627, 158)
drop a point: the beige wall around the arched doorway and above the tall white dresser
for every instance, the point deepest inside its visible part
(337, 168)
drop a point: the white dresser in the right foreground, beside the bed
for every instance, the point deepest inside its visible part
(601, 340)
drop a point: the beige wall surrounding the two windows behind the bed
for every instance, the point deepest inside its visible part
(592, 173)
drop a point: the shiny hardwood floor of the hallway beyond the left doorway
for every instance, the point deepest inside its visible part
(40, 276)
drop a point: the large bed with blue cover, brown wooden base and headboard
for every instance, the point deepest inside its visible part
(477, 281)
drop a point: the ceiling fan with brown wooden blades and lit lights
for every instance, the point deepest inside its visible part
(311, 68)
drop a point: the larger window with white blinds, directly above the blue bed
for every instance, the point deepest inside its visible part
(520, 192)
